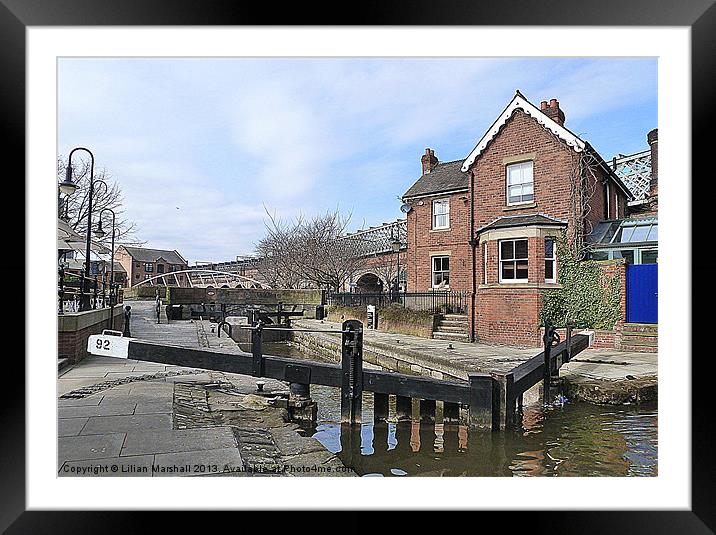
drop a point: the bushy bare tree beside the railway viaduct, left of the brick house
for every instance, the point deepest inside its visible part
(308, 252)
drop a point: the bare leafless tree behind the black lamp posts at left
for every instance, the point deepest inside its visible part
(73, 208)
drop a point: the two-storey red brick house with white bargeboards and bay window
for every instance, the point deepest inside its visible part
(487, 224)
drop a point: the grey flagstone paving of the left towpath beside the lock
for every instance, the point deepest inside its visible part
(118, 418)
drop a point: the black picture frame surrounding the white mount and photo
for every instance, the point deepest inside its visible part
(699, 15)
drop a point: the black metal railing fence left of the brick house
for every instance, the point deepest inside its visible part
(437, 301)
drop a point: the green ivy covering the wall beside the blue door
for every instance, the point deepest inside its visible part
(585, 299)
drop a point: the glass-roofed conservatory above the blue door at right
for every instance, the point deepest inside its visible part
(635, 240)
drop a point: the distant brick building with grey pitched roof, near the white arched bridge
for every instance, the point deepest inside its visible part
(142, 264)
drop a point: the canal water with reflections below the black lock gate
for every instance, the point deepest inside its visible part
(577, 439)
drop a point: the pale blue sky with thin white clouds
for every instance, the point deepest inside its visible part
(203, 148)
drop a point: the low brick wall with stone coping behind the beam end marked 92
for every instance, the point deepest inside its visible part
(73, 330)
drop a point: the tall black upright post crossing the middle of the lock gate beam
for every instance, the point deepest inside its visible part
(352, 372)
